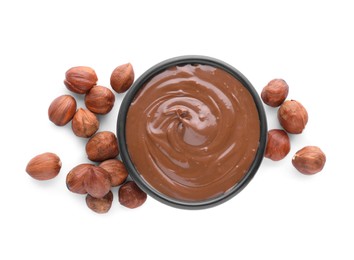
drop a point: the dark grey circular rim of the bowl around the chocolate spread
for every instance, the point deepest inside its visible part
(121, 124)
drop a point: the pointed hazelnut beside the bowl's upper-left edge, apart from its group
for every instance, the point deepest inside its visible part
(122, 78)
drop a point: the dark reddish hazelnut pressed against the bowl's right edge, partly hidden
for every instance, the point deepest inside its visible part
(278, 145)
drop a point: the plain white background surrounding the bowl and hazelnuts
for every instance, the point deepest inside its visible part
(281, 214)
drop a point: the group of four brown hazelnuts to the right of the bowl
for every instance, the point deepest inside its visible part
(293, 117)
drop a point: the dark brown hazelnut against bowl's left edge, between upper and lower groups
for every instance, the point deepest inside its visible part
(102, 146)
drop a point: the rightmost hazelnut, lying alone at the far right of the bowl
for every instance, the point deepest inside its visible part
(309, 160)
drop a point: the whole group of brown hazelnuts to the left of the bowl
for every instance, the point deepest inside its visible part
(95, 181)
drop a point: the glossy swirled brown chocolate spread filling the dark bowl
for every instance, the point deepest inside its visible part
(192, 132)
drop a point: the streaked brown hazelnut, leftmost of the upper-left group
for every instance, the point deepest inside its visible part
(62, 110)
